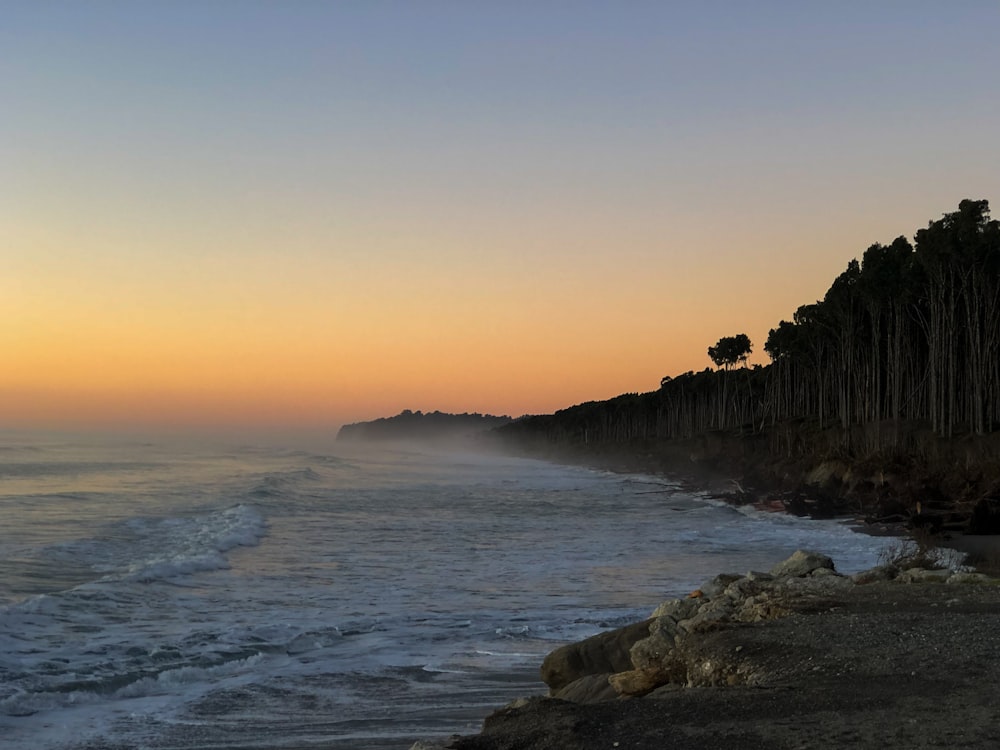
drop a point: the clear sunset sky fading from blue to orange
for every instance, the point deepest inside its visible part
(309, 213)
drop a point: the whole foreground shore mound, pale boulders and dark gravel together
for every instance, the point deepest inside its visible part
(797, 657)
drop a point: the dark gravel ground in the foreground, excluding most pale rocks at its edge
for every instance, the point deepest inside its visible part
(886, 664)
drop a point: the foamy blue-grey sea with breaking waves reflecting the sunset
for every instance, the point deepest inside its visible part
(191, 595)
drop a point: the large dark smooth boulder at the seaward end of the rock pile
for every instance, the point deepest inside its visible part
(600, 654)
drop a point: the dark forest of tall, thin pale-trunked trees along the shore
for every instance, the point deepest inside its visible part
(904, 339)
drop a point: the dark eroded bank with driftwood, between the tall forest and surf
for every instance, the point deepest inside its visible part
(887, 474)
